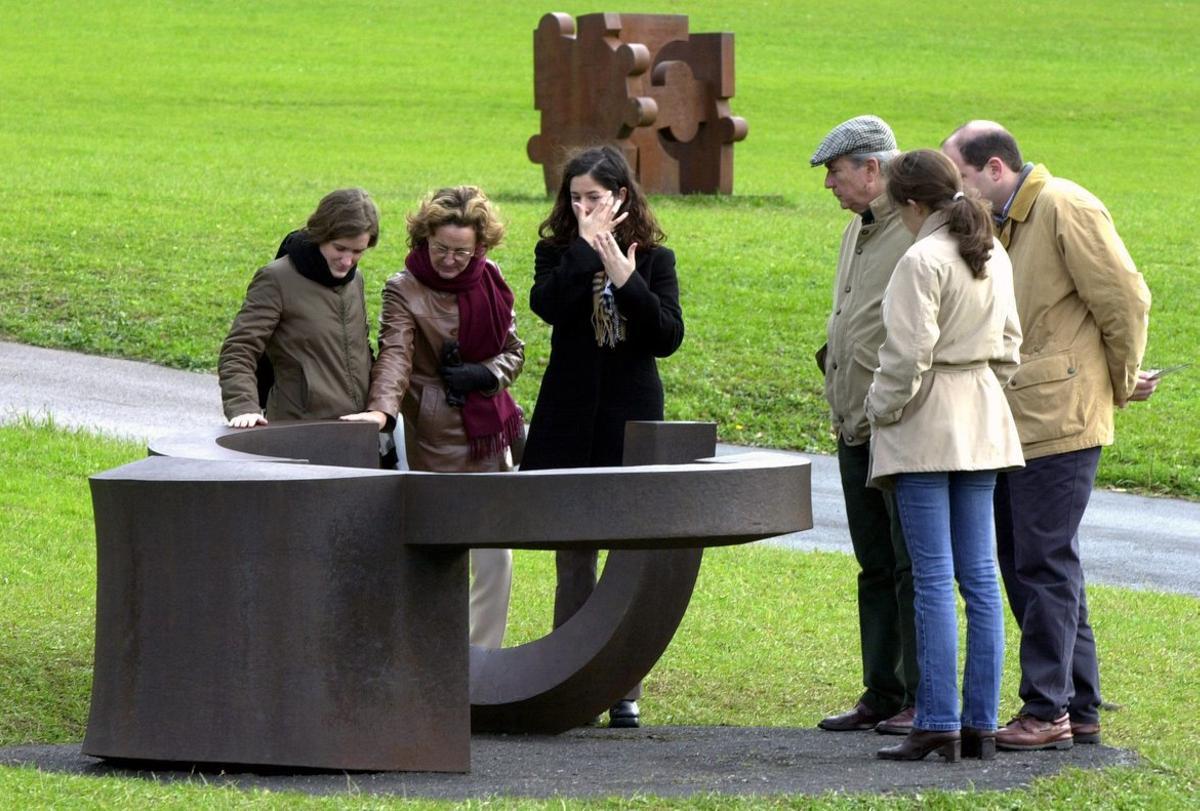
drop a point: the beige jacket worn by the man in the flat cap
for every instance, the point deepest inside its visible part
(855, 331)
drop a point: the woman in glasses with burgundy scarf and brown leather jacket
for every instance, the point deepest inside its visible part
(448, 352)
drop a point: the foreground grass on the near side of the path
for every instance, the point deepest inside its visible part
(779, 626)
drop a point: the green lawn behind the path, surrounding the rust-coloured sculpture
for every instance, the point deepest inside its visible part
(157, 153)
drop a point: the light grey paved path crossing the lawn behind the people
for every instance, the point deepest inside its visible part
(1127, 540)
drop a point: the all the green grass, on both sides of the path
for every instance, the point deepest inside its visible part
(155, 153)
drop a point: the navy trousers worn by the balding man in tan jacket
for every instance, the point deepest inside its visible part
(1039, 510)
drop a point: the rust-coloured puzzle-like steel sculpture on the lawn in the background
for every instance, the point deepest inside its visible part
(644, 82)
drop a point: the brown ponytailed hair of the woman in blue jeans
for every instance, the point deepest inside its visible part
(932, 179)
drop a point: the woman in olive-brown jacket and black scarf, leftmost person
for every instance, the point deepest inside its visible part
(305, 320)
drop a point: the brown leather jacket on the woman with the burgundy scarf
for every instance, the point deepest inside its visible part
(416, 322)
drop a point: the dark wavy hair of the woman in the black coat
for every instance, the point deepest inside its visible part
(608, 166)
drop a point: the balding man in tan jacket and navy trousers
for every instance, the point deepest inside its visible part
(1084, 311)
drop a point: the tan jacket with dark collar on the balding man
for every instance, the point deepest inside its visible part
(1084, 310)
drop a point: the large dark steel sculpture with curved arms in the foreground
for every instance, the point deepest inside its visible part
(271, 611)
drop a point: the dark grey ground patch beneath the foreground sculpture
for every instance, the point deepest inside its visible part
(653, 761)
